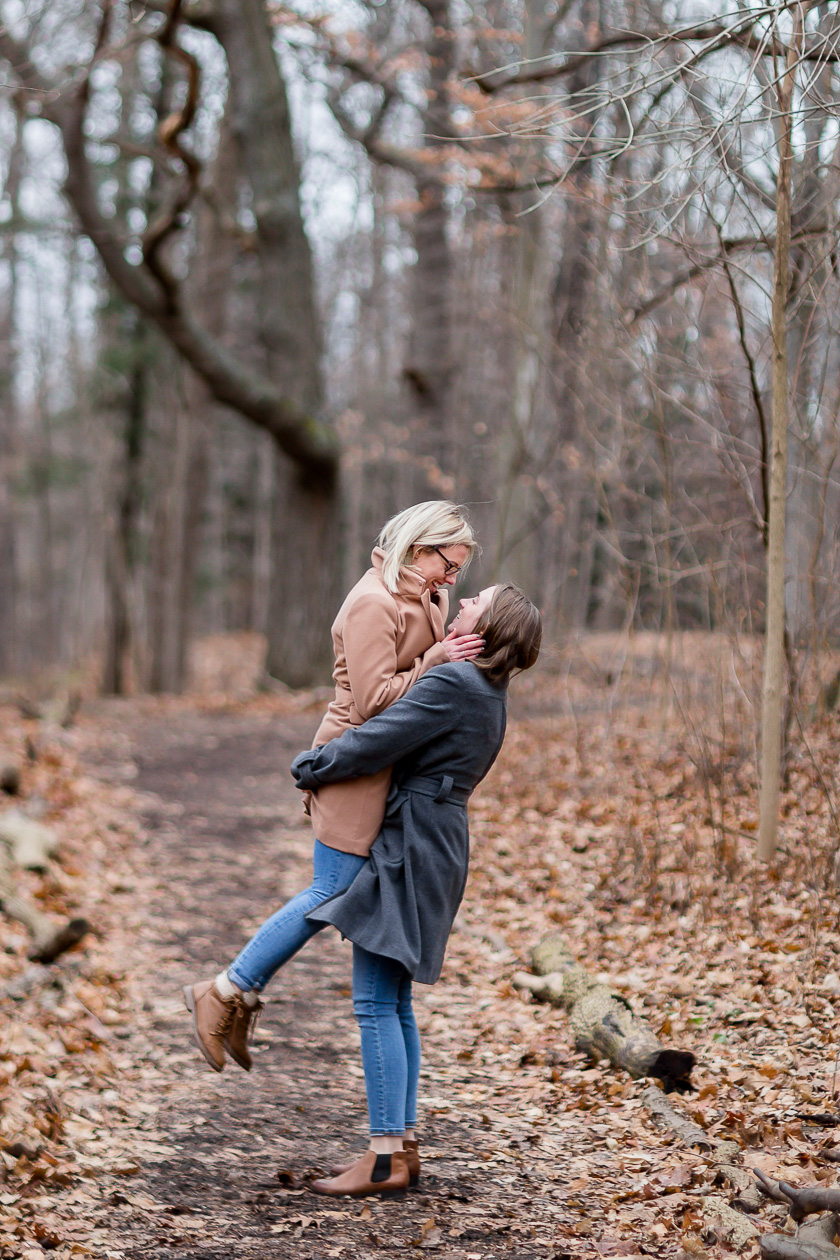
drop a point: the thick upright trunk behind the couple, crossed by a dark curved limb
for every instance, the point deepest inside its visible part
(305, 530)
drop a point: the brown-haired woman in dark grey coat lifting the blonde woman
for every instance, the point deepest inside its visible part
(441, 740)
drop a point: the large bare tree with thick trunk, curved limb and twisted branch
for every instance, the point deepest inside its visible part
(285, 399)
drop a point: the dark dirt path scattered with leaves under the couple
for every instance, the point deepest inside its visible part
(226, 842)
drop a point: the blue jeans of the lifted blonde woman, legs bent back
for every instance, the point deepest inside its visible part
(288, 931)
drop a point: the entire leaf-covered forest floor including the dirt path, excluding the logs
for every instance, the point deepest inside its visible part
(621, 815)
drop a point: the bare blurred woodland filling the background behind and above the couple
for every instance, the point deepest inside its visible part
(271, 273)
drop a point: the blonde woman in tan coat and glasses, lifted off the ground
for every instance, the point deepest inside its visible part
(390, 632)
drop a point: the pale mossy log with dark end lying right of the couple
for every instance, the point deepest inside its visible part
(604, 1024)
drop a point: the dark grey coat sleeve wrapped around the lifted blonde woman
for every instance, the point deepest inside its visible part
(433, 709)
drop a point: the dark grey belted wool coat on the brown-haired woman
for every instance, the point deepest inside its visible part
(441, 739)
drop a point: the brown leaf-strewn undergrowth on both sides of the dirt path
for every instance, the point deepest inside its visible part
(623, 813)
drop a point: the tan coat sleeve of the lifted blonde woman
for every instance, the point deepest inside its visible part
(371, 653)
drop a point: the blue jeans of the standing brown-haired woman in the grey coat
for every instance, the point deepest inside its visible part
(391, 1048)
